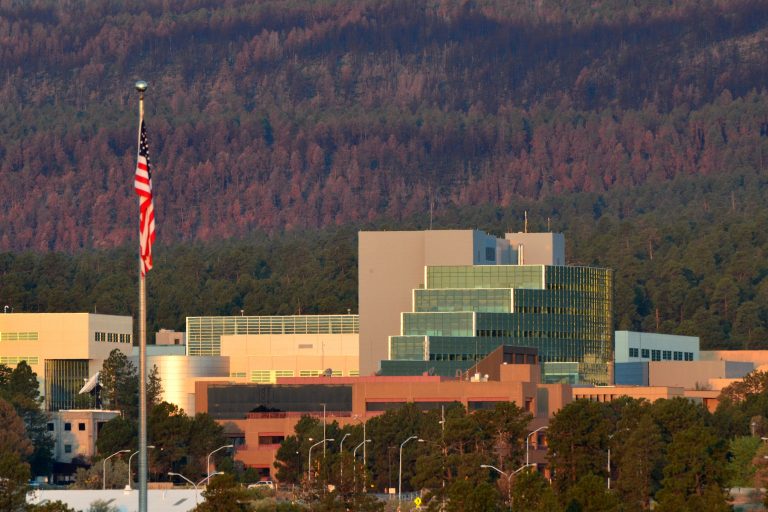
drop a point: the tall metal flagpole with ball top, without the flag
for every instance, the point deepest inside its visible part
(141, 86)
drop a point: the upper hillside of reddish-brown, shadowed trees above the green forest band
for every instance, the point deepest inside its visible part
(273, 115)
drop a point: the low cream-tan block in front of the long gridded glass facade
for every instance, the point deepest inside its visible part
(262, 358)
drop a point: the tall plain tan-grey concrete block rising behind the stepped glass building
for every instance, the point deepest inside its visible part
(392, 264)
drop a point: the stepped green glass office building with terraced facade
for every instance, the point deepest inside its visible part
(465, 312)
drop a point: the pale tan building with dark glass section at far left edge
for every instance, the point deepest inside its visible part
(63, 349)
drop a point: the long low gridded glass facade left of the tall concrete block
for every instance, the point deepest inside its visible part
(204, 332)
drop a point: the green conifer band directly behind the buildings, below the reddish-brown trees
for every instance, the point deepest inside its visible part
(689, 255)
